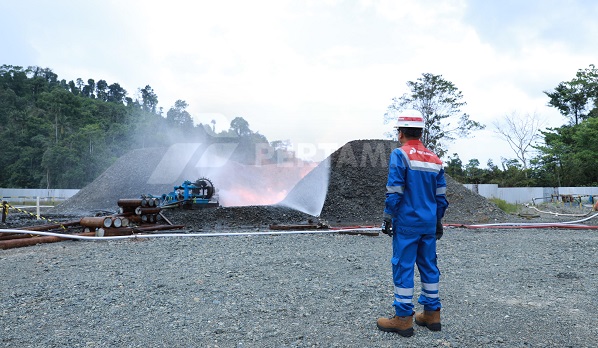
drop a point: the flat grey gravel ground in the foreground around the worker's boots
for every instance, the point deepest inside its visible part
(507, 288)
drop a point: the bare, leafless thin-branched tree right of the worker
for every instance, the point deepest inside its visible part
(520, 132)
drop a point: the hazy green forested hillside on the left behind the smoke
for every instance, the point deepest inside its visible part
(59, 134)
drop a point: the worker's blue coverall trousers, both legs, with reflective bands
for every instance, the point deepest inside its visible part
(408, 250)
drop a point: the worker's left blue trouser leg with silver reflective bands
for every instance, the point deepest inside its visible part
(404, 253)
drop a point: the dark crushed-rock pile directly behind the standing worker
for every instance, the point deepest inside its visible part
(357, 187)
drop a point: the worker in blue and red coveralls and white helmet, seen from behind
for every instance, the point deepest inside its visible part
(415, 204)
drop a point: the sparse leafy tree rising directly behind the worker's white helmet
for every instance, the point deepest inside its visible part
(439, 102)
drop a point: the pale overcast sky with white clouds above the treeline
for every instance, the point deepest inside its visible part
(320, 73)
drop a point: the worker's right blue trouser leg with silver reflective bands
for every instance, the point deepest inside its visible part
(429, 273)
